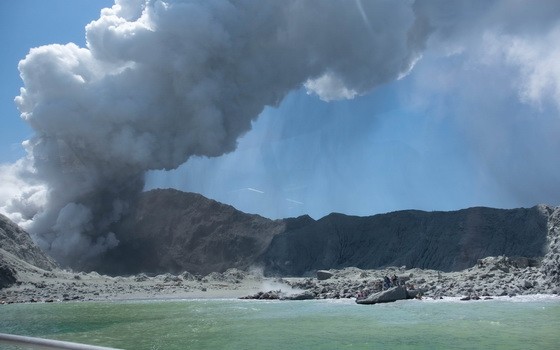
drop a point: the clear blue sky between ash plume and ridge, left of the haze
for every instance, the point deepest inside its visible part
(359, 157)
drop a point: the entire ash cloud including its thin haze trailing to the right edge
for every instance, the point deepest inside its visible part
(161, 81)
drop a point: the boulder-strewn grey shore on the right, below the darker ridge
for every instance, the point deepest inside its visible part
(492, 277)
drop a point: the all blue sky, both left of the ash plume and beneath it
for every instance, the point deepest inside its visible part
(470, 125)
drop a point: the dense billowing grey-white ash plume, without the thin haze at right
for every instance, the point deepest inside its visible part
(161, 81)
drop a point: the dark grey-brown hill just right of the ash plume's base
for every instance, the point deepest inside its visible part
(173, 231)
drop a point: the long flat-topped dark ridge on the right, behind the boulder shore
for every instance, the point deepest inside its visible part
(446, 241)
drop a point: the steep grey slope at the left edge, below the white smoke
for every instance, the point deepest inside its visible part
(17, 242)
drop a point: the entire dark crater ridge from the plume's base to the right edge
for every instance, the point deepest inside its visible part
(173, 231)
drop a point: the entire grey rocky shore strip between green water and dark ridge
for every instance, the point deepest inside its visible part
(491, 277)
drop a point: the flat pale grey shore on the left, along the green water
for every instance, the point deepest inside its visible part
(64, 286)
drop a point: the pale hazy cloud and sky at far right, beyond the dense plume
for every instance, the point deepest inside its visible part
(494, 73)
